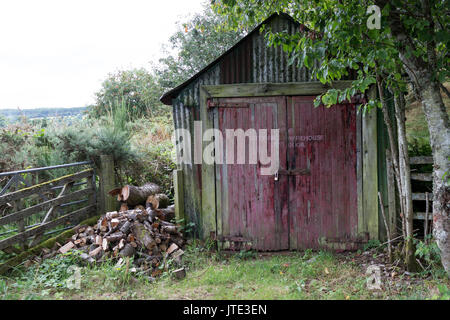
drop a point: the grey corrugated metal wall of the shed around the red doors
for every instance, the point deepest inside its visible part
(252, 61)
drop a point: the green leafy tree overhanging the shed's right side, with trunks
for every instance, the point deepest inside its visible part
(412, 40)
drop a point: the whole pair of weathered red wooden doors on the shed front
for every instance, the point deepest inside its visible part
(313, 203)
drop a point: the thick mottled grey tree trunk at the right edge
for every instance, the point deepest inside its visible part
(421, 71)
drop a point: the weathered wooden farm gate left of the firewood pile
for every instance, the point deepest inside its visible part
(57, 203)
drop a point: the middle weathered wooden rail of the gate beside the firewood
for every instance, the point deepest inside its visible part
(22, 214)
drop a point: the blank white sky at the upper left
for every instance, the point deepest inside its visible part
(56, 53)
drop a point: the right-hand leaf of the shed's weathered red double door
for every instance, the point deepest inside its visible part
(323, 202)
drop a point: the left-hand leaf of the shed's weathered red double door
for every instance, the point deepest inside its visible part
(253, 206)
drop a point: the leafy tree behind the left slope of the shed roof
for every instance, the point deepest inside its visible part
(197, 42)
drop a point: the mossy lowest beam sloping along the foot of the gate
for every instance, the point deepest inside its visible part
(15, 261)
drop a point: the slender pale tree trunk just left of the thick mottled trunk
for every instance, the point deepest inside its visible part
(405, 175)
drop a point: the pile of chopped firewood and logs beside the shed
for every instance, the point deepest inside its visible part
(143, 232)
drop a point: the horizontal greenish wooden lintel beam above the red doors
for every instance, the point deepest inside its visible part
(271, 89)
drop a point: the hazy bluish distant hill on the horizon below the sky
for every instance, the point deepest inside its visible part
(13, 114)
